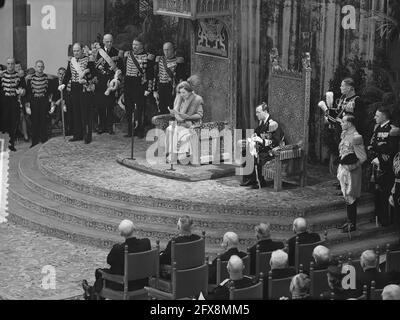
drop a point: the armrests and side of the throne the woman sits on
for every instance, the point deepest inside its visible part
(208, 142)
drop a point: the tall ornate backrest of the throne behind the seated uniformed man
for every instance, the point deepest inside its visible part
(289, 100)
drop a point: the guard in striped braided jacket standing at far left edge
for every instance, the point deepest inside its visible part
(12, 88)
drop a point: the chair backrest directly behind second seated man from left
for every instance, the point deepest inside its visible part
(188, 255)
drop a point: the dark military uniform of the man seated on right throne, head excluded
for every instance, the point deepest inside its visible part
(272, 138)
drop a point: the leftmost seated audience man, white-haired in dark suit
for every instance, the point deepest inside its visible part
(116, 261)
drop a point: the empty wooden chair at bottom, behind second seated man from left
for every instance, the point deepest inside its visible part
(188, 283)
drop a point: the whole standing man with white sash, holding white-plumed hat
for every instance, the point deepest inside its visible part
(108, 61)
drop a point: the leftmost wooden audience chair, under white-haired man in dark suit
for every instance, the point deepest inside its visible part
(137, 266)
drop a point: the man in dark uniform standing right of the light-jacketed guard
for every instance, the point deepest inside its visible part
(382, 150)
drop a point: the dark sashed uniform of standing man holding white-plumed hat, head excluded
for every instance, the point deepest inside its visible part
(105, 72)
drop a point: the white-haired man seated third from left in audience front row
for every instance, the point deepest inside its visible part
(230, 244)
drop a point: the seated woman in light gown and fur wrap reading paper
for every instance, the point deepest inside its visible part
(188, 113)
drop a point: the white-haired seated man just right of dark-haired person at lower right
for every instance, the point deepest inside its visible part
(370, 273)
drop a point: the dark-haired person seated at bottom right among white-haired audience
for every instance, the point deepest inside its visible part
(337, 292)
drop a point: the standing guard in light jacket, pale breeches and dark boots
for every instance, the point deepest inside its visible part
(352, 155)
